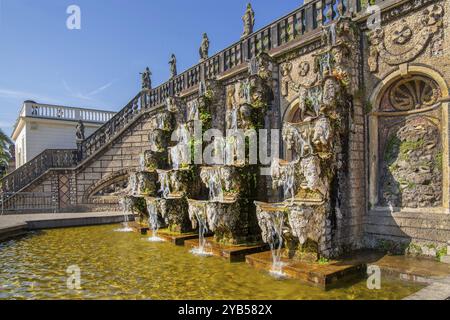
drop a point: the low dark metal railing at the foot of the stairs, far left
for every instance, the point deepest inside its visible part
(27, 202)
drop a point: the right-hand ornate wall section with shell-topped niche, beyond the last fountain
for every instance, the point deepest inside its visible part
(406, 76)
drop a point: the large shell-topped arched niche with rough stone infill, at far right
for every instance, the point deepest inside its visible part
(408, 142)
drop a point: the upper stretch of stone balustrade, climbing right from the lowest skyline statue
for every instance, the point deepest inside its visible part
(305, 19)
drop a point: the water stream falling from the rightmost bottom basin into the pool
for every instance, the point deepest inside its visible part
(276, 244)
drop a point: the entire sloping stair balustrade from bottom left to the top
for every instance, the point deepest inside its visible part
(308, 18)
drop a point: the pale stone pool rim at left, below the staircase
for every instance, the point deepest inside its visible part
(17, 225)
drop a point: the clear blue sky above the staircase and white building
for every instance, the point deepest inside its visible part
(98, 66)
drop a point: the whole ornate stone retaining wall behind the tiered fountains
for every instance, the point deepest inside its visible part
(389, 185)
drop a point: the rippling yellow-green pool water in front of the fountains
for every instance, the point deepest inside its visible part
(125, 266)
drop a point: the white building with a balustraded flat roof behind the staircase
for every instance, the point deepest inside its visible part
(42, 126)
